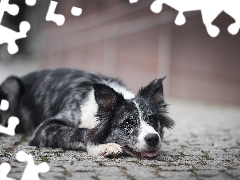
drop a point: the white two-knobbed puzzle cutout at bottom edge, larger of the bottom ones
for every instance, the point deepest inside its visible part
(31, 171)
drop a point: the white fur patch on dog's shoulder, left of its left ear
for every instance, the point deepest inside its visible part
(88, 110)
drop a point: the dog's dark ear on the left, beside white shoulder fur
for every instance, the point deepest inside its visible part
(106, 97)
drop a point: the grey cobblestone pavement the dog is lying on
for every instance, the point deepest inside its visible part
(204, 144)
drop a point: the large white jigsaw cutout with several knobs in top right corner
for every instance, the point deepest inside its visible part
(210, 9)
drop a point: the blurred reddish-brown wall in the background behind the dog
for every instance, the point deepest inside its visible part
(132, 43)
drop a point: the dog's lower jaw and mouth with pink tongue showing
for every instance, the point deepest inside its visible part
(140, 155)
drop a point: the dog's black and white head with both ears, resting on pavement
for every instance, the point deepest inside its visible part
(135, 124)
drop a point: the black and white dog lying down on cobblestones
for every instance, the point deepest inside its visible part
(79, 110)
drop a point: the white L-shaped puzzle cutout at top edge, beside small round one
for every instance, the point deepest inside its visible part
(51, 16)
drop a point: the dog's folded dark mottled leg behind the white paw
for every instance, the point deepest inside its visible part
(58, 134)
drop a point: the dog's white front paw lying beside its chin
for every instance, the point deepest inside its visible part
(109, 149)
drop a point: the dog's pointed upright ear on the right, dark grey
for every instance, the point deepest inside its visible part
(153, 91)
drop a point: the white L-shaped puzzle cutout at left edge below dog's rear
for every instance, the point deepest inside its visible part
(12, 123)
